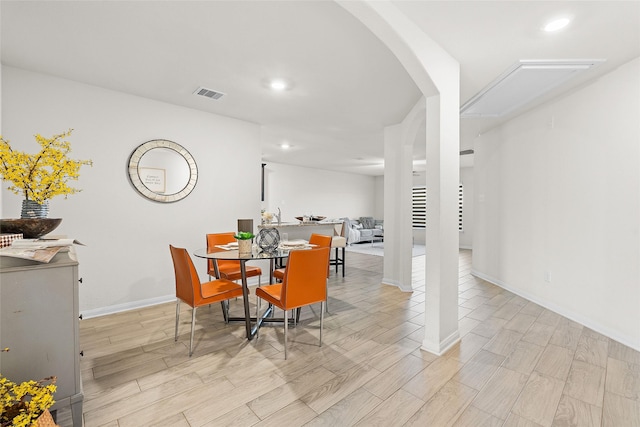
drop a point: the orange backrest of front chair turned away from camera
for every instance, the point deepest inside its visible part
(305, 277)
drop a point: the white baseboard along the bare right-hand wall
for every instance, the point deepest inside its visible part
(563, 311)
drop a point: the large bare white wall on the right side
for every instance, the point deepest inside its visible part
(558, 205)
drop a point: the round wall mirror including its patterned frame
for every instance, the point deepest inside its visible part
(163, 171)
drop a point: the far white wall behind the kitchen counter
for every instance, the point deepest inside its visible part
(298, 191)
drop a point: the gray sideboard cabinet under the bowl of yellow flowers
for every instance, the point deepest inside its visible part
(39, 323)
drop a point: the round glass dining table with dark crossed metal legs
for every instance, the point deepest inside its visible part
(217, 253)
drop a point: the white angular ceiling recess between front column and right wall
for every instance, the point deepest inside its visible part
(522, 83)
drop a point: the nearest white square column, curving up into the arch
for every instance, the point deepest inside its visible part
(437, 74)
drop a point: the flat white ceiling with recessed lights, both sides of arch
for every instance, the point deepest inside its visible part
(346, 86)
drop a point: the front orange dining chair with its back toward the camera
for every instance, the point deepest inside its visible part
(304, 283)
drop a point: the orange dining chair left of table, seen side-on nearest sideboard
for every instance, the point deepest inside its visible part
(191, 291)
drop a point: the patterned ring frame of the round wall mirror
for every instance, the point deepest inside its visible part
(134, 177)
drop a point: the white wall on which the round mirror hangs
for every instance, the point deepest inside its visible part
(126, 261)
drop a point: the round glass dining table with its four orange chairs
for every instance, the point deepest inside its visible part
(297, 276)
